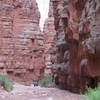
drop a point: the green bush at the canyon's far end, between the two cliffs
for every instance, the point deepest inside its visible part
(46, 81)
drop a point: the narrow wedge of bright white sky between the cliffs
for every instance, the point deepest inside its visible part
(43, 8)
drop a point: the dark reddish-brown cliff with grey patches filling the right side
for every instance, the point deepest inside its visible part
(76, 52)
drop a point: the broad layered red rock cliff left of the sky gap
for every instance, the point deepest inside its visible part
(21, 41)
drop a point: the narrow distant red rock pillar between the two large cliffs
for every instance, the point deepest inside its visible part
(49, 34)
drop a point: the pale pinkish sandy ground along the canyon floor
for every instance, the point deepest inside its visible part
(22, 92)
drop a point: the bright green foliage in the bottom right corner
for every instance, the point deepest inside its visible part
(92, 94)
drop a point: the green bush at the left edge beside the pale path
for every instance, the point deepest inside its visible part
(6, 83)
